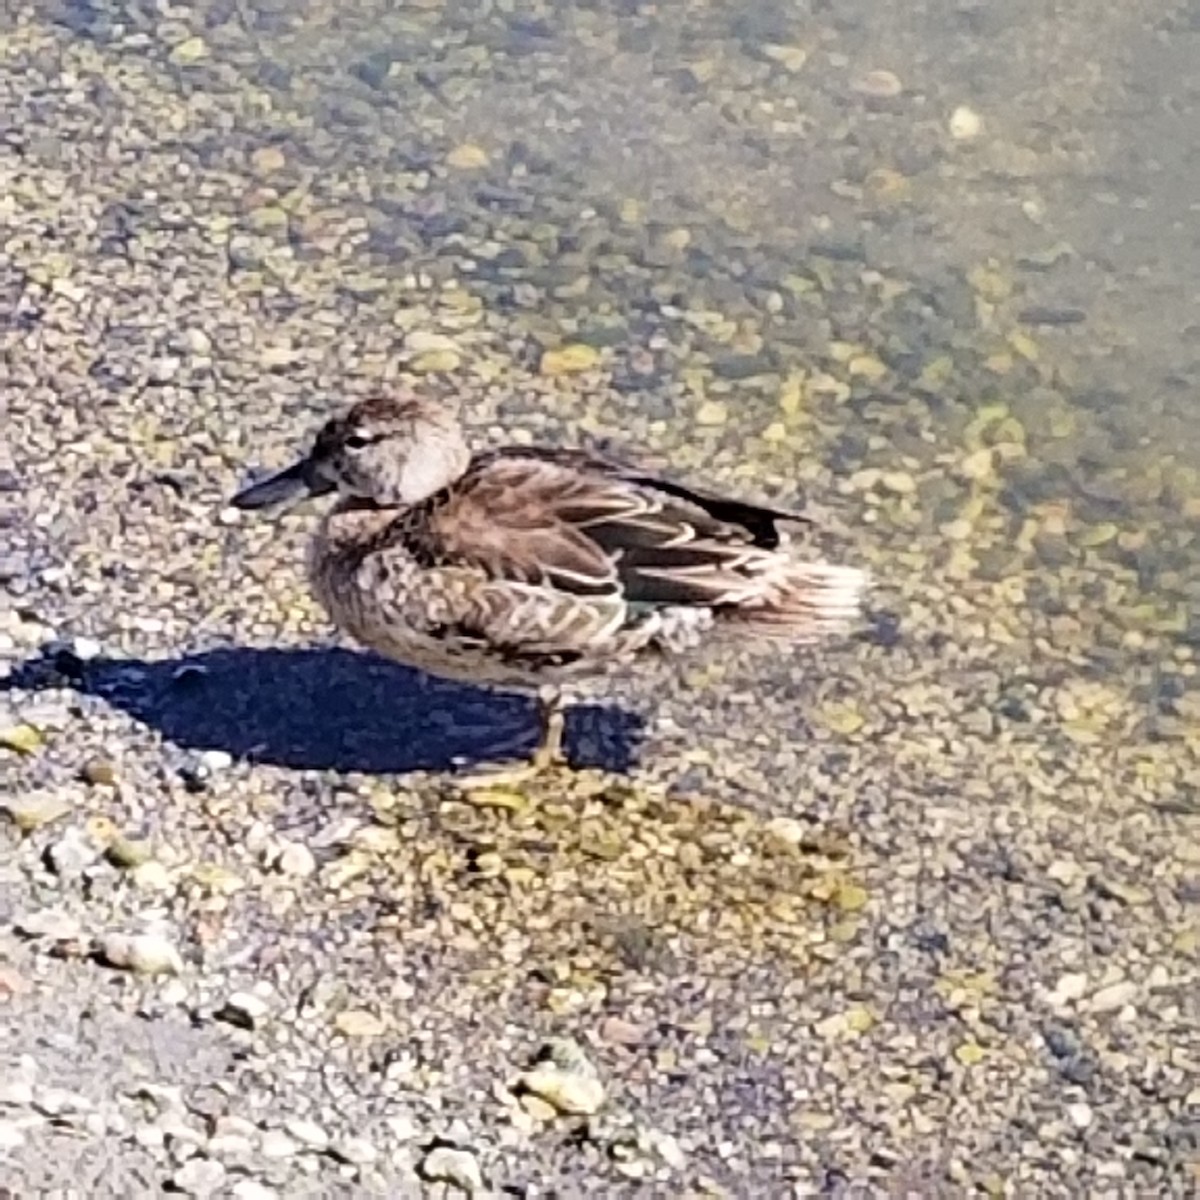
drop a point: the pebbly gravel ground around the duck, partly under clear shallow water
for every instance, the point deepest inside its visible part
(916, 914)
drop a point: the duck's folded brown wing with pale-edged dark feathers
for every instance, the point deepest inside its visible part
(593, 527)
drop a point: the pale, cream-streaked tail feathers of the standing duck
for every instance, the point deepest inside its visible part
(807, 603)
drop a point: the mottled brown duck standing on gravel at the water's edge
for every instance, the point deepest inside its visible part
(524, 567)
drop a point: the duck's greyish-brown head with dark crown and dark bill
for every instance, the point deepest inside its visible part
(391, 452)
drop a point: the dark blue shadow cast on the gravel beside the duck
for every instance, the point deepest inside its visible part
(329, 709)
